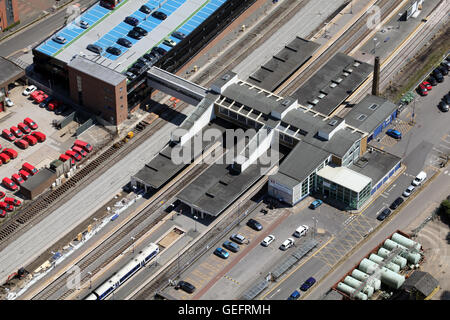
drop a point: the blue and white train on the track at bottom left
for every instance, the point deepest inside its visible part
(139, 261)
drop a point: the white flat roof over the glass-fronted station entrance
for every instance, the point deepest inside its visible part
(345, 177)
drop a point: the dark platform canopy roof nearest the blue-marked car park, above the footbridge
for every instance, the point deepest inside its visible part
(283, 64)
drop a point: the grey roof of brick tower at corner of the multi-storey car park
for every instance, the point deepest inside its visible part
(97, 71)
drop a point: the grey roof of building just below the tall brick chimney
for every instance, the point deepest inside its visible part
(369, 113)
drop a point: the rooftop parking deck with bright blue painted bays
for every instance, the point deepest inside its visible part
(107, 26)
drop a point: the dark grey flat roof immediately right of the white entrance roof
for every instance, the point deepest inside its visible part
(375, 164)
